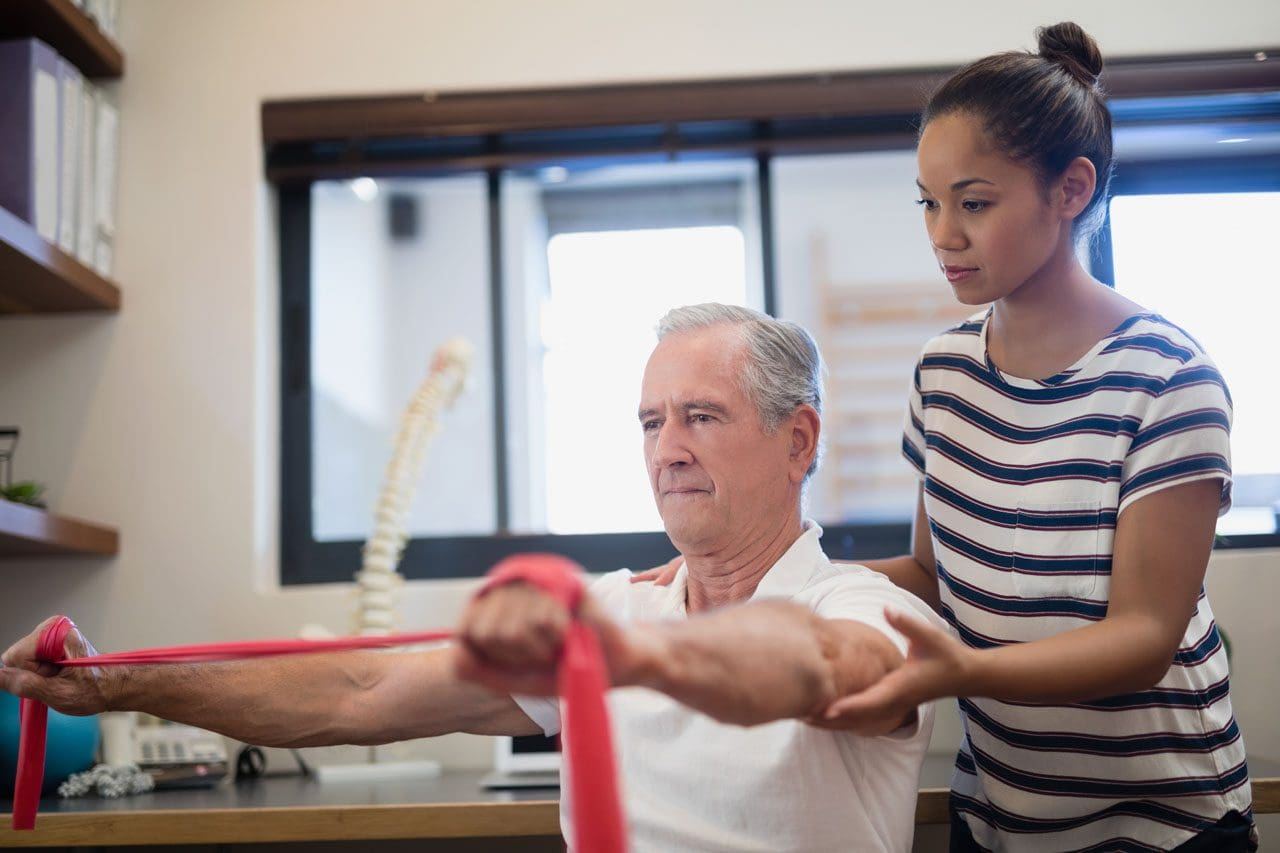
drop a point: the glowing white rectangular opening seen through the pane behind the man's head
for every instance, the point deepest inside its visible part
(606, 290)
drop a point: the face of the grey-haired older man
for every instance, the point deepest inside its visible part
(716, 475)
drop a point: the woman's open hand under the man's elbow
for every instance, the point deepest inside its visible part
(936, 665)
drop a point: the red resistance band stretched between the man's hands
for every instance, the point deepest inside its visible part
(582, 682)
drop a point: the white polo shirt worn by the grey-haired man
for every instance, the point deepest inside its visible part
(691, 783)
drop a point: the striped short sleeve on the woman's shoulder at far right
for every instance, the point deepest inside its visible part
(1185, 437)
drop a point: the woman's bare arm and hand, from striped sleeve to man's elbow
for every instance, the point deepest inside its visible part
(1162, 551)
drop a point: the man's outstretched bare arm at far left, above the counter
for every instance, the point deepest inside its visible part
(300, 701)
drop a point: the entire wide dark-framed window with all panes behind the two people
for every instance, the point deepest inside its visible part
(555, 249)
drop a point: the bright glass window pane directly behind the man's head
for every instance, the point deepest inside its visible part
(596, 259)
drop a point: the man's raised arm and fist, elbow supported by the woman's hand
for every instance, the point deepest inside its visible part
(747, 665)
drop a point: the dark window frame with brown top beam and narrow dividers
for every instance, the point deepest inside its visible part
(491, 133)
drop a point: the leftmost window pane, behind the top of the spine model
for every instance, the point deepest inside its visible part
(399, 268)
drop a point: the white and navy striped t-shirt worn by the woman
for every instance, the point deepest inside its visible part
(1023, 483)
